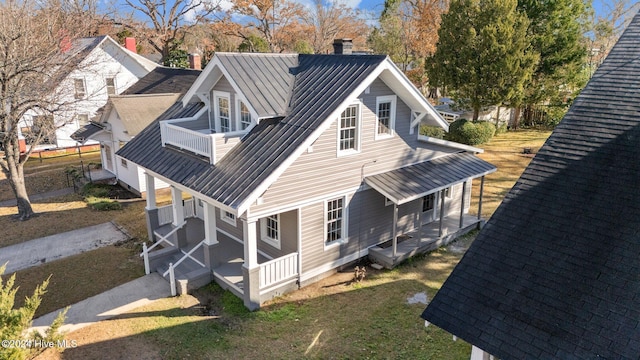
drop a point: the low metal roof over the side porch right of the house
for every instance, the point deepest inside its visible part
(415, 181)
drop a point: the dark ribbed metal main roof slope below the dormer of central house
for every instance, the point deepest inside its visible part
(322, 83)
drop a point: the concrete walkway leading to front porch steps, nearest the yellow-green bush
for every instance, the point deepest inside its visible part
(109, 304)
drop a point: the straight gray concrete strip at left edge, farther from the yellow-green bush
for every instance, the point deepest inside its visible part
(54, 247)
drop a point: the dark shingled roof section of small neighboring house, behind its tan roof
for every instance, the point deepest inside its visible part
(164, 80)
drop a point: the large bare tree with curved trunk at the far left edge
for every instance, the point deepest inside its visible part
(36, 53)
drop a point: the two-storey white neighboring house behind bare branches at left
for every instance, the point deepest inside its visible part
(104, 68)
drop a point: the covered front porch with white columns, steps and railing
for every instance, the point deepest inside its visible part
(191, 239)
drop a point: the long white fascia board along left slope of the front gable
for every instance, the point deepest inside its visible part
(257, 192)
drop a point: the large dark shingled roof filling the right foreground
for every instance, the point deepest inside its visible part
(555, 273)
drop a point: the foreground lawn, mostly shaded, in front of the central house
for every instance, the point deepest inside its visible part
(333, 318)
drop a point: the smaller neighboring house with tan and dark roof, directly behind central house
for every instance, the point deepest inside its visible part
(126, 115)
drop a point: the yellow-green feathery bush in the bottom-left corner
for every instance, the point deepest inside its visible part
(14, 322)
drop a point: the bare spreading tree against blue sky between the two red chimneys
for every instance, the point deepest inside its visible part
(170, 20)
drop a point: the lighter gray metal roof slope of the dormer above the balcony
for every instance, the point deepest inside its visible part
(265, 79)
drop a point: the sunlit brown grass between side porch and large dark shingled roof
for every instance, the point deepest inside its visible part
(505, 151)
